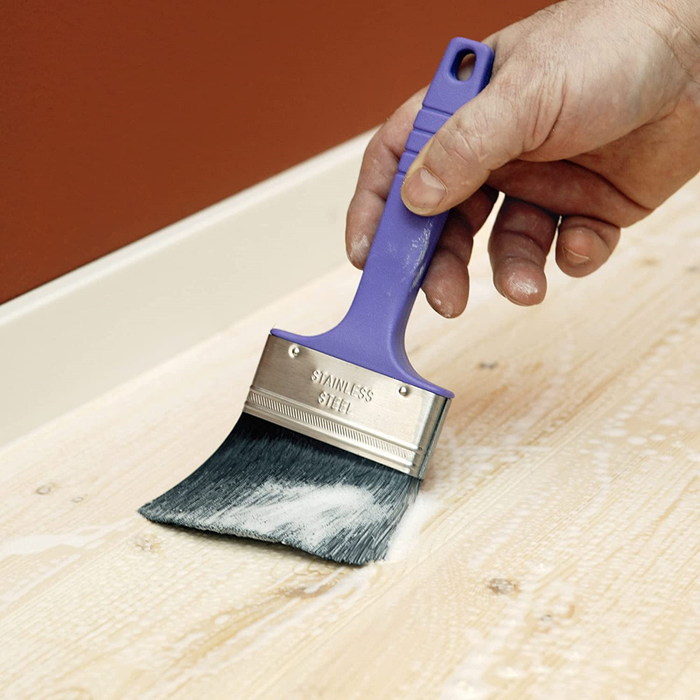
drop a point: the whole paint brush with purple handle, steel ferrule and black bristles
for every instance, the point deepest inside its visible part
(338, 428)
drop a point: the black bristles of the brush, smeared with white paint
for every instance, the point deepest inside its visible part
(271, 483)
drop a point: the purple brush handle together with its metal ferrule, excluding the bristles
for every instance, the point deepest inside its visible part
(353, 386)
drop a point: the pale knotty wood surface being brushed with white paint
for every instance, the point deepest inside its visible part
(554, 551)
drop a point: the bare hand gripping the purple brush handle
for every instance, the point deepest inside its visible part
(591, 120)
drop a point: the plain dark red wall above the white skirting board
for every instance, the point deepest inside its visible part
(119, 117)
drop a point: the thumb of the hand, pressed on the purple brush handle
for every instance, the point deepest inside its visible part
(484, 134)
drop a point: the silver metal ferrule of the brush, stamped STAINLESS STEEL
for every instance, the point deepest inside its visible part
(347, 406)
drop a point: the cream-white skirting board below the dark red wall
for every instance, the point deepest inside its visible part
(92, 329)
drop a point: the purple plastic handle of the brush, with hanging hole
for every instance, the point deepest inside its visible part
(372, 333)
